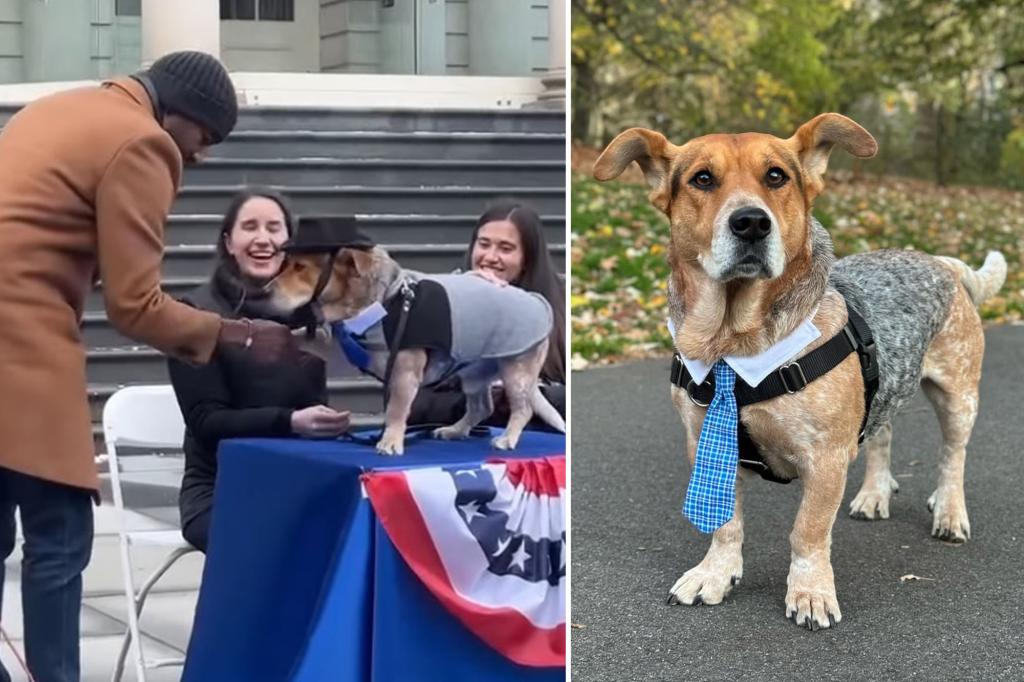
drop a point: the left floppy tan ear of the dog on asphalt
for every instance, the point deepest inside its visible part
(652, 152)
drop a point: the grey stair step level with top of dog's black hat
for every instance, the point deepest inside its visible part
(203, 229)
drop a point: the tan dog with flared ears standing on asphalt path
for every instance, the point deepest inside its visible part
(749, 266)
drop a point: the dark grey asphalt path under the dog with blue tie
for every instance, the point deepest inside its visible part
(630, 543)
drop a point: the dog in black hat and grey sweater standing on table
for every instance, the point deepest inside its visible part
(410, 329)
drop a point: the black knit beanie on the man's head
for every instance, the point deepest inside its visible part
(197, 87)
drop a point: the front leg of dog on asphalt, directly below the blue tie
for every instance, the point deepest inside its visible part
(722, 568)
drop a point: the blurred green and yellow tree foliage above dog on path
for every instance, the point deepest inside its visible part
(941, 83)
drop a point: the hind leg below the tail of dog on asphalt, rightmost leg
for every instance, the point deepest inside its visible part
(952, 373)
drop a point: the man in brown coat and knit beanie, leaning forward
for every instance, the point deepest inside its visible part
(88, 179)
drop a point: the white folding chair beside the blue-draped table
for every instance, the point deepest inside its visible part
(142, 417)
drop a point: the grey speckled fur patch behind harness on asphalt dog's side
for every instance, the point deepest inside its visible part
(905, 297)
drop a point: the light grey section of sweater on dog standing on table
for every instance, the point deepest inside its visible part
(490, 322)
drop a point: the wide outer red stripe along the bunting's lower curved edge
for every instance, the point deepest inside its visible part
(506, 630)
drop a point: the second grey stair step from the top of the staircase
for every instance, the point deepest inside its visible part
(370, 145)
